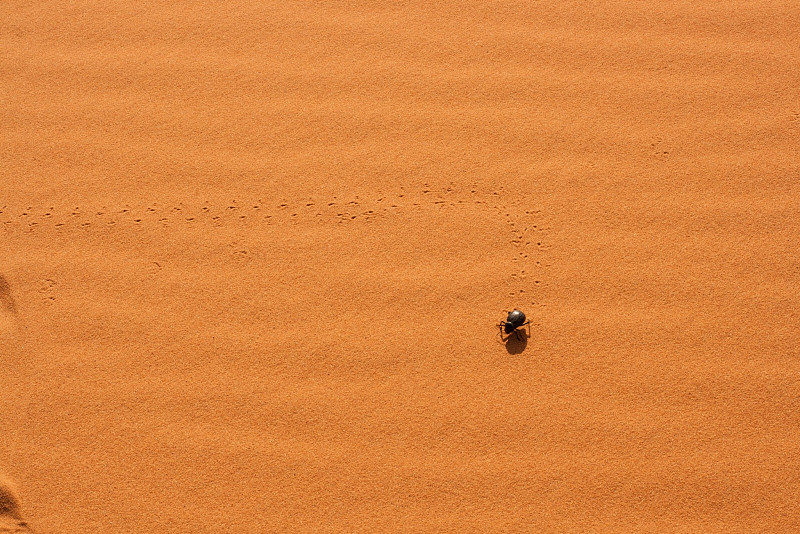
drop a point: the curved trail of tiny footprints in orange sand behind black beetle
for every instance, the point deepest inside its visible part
(524, 231)
